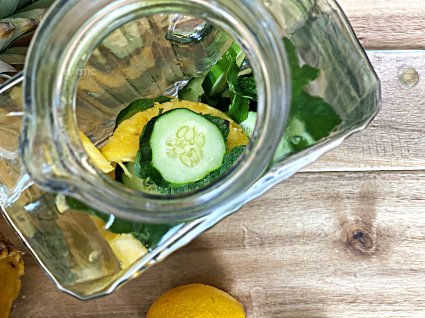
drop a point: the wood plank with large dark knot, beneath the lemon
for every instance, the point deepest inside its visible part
(319, 245)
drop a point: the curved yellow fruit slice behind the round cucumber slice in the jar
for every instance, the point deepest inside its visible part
(123, 145)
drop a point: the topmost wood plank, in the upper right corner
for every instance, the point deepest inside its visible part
(387, 24)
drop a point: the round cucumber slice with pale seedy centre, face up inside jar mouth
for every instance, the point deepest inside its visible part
(180, 147)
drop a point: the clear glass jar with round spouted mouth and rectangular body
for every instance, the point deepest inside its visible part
(89, 61)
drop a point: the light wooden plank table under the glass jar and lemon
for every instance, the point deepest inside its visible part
(345, 238)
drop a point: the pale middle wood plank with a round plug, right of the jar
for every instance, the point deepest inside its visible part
(395, 139)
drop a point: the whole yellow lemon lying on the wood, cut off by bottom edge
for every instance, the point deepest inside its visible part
(196, 301)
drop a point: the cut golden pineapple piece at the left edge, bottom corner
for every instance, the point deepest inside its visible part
(11, 271)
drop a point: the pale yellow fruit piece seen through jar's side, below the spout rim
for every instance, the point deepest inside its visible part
(126, 248)
